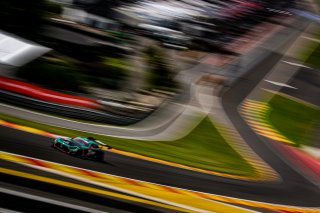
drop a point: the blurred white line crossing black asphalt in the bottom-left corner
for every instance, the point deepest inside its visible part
(48, 200)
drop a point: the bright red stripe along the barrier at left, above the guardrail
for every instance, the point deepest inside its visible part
(45, 94)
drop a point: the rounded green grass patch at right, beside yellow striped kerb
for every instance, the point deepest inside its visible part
(293, 119)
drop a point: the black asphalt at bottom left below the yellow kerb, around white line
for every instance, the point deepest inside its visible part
(63, 194)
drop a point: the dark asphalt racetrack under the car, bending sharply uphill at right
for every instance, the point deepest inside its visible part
(293, 189)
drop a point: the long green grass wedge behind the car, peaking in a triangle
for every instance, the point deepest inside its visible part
(203, 148)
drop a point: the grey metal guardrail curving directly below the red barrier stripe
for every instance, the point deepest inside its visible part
(69, 111)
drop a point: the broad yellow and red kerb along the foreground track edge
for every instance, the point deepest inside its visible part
(198, 199)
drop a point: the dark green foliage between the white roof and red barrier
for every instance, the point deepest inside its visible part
(55, 74)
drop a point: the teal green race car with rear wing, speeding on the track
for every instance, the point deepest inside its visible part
(86, 148)
